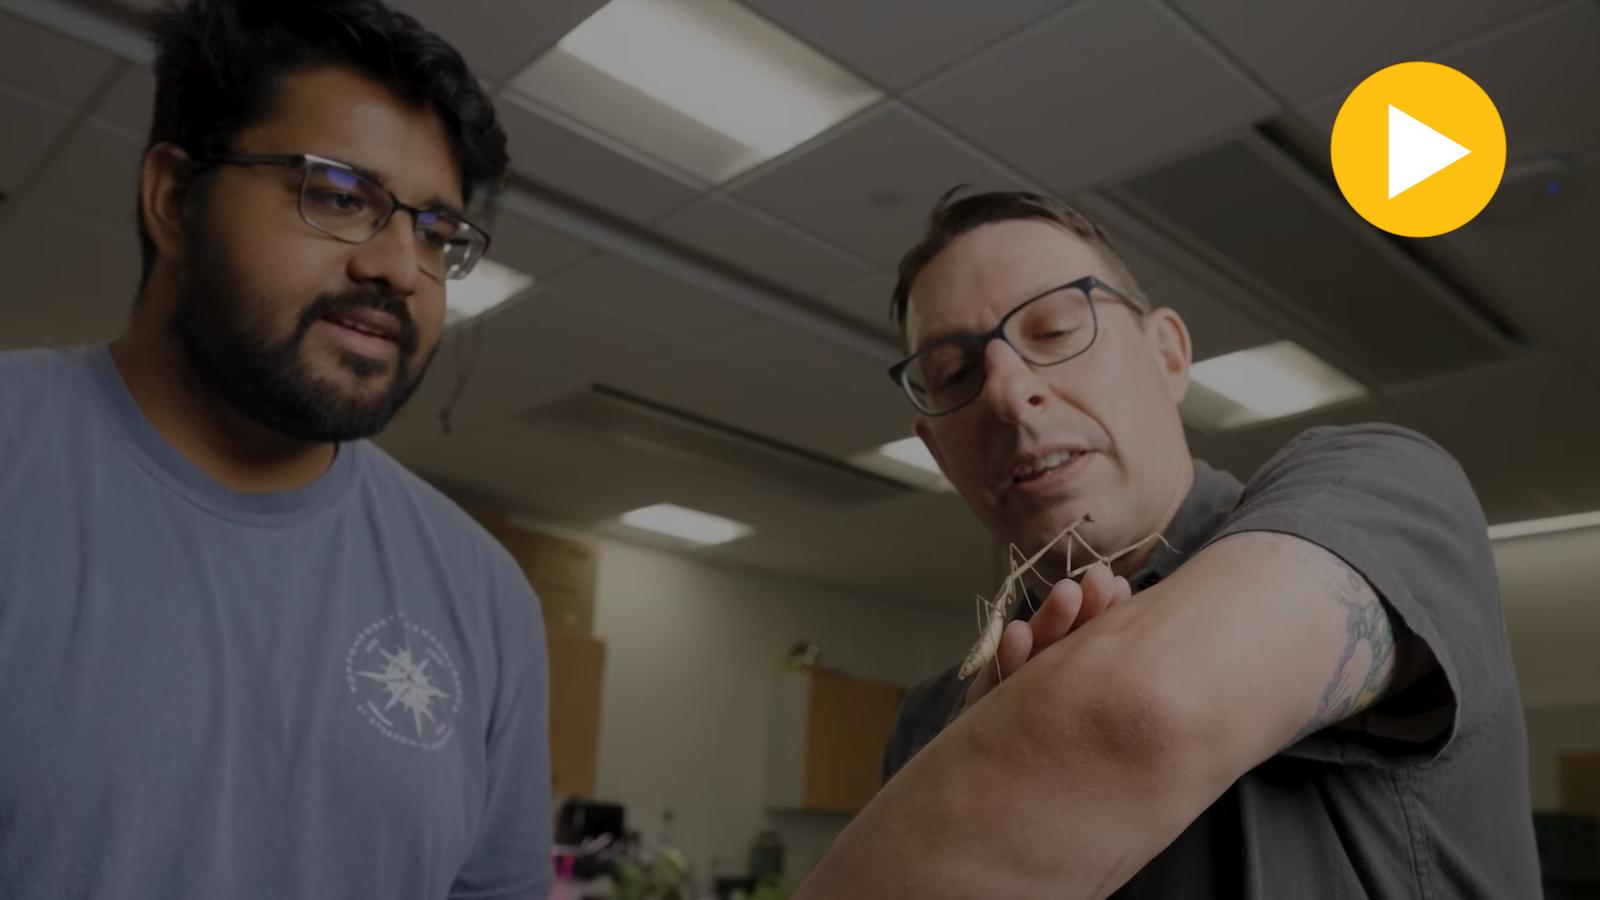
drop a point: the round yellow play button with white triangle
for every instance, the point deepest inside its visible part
(1418, 150)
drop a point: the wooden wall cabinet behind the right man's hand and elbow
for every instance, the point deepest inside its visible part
(825, 741)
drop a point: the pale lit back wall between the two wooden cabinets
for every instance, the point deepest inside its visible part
(689, 654)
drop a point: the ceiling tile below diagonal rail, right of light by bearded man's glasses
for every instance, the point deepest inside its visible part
(655, 299)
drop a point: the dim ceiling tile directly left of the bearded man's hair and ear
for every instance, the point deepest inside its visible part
(95, 177)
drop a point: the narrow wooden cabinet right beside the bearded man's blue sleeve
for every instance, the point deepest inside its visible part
(577, 669)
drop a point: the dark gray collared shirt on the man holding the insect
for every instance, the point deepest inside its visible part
(1422, 797)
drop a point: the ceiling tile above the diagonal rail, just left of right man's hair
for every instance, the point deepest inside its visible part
(751, 241)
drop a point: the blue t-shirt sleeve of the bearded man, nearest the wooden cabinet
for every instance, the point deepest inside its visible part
(511, 859)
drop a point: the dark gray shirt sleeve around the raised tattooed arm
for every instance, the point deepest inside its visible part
(1399, 510)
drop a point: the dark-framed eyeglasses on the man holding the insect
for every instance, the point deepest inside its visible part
(1047, 329)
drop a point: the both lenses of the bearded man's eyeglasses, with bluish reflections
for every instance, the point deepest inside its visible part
(354, 209)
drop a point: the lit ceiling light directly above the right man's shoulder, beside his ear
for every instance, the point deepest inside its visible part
(1263, 384)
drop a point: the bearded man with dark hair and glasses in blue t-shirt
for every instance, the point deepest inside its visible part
(246, 653)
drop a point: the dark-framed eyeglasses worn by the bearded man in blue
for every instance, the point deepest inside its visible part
(342, 203)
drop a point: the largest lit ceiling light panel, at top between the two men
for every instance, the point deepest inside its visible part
(708, 87)
